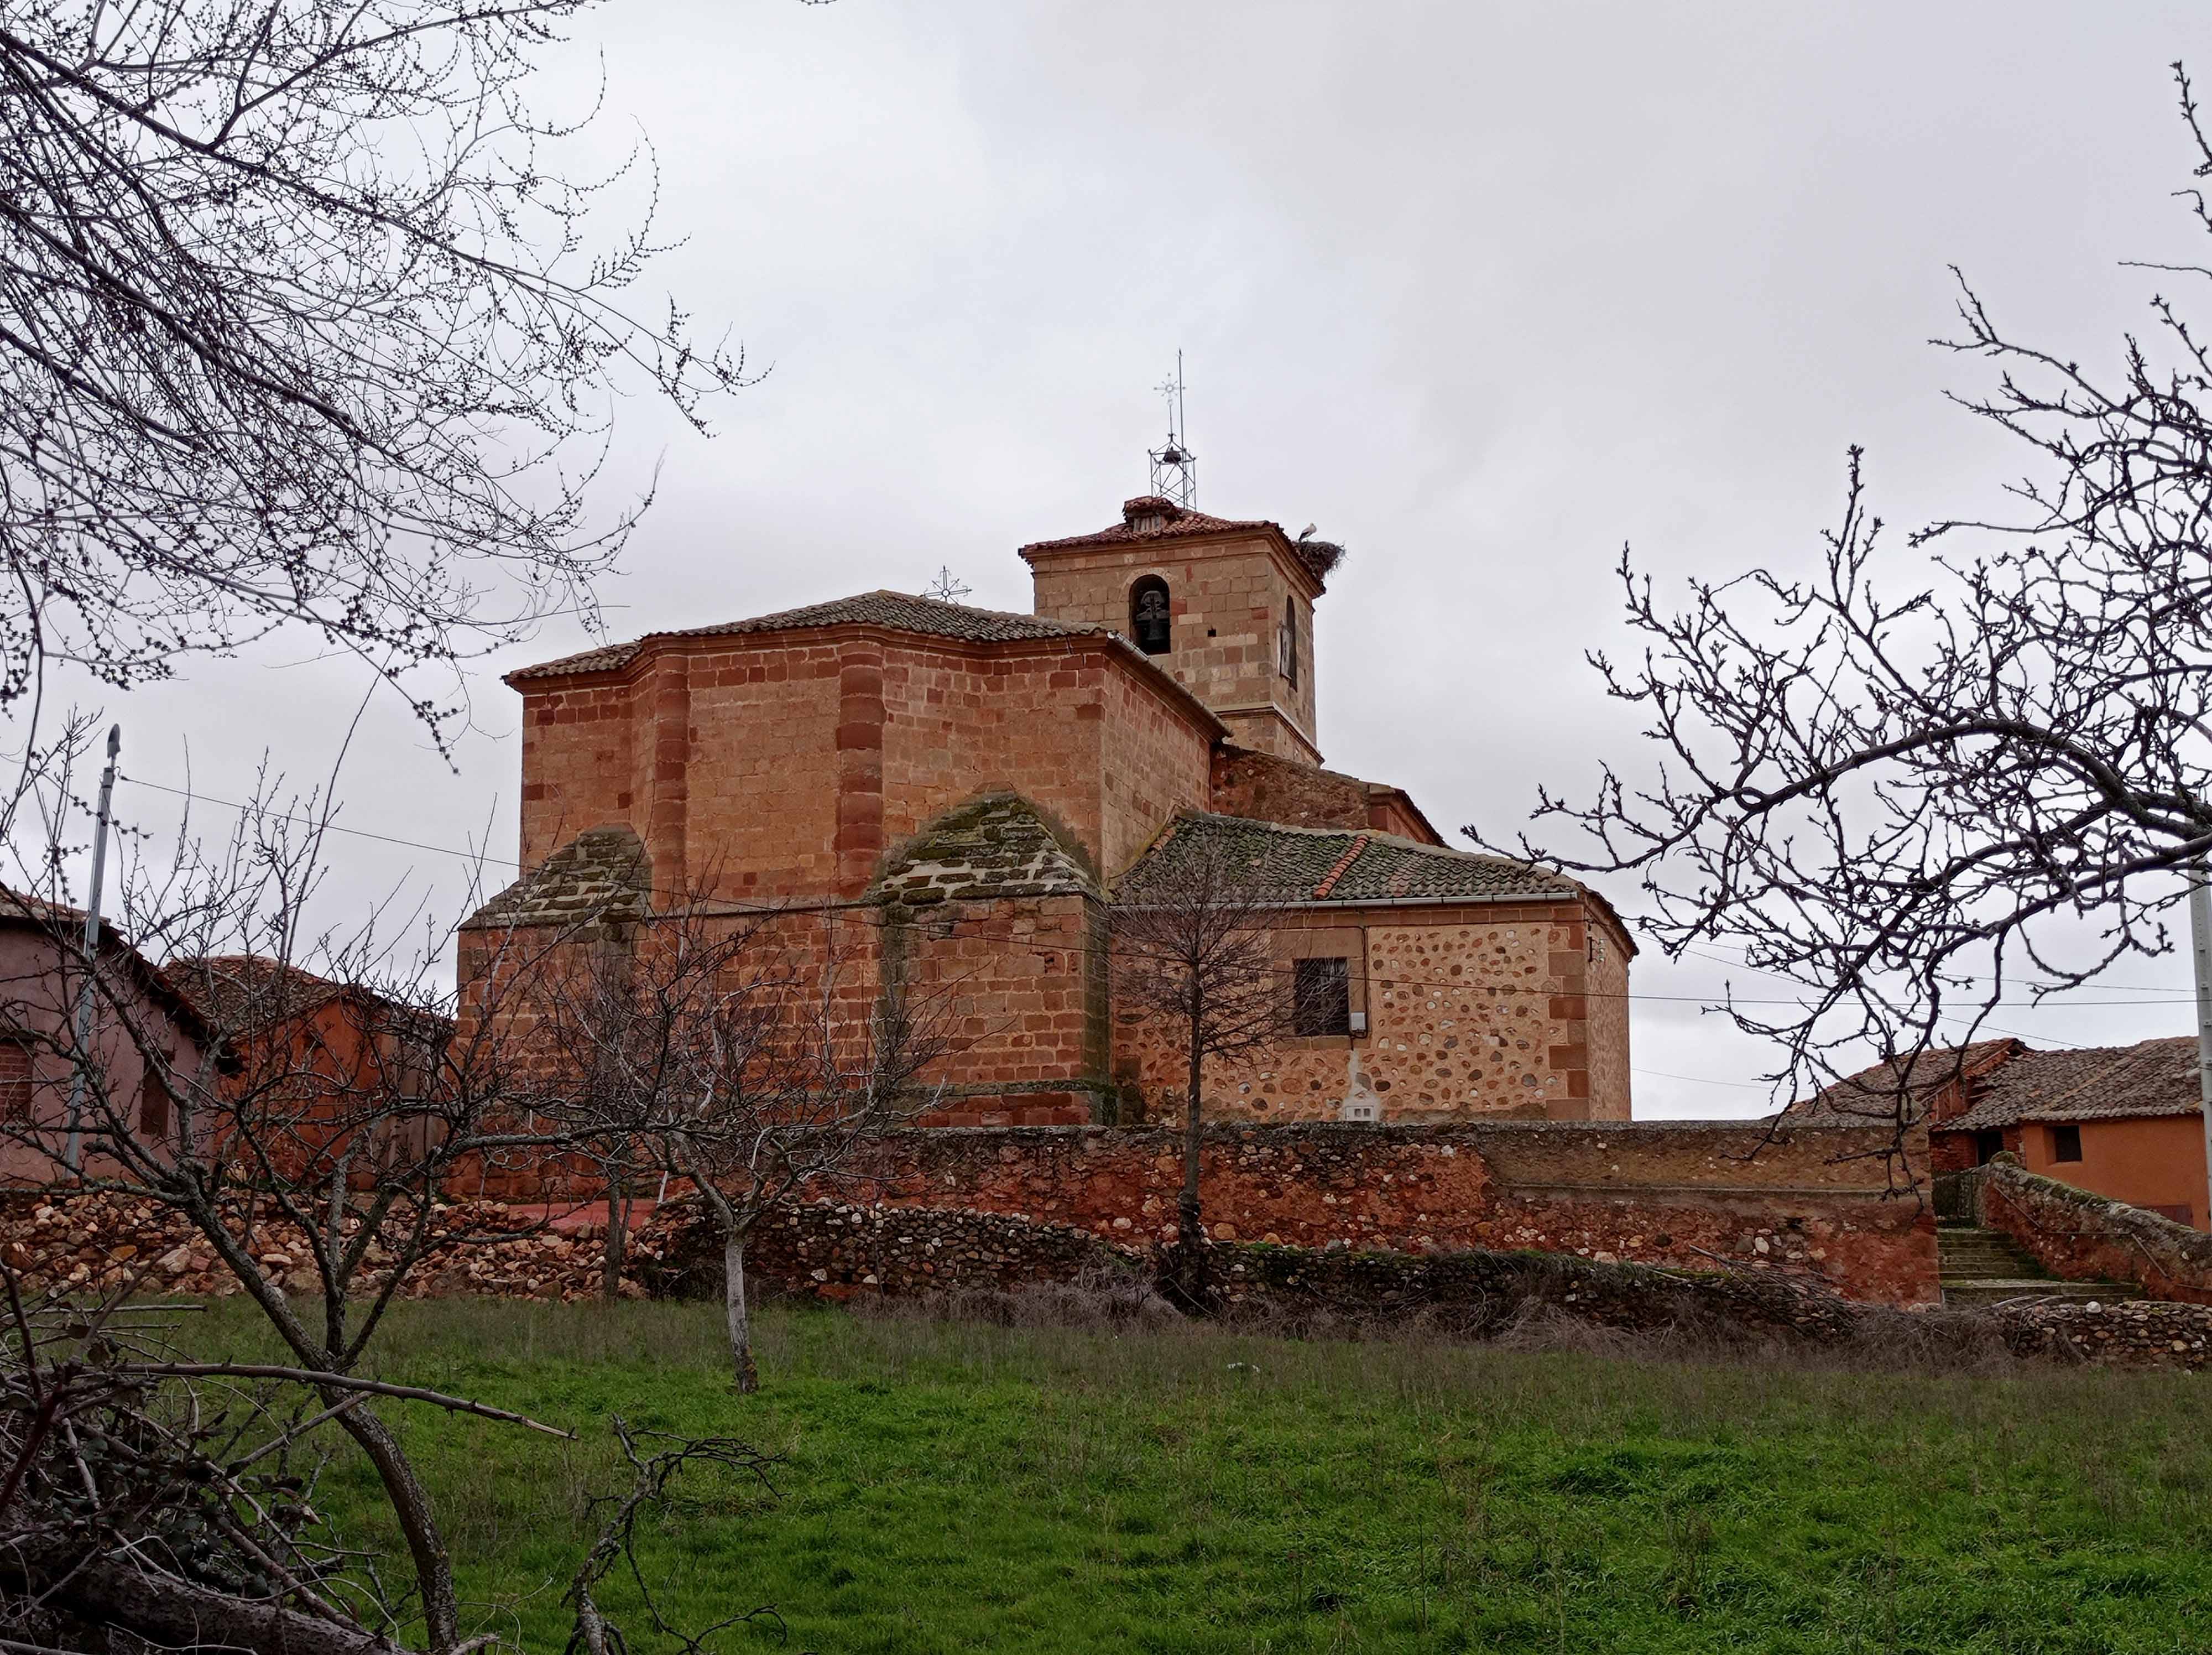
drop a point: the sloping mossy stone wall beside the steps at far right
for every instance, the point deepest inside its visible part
(2083, 1236)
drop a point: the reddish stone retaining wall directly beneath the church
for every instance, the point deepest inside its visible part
(1647, 1194)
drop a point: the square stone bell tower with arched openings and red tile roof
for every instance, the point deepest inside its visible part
(1222, 605)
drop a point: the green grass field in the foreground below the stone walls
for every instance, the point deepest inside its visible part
(963, 1488)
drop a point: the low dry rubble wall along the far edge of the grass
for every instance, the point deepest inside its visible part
(835, 1251)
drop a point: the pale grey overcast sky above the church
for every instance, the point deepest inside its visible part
(1483, 291)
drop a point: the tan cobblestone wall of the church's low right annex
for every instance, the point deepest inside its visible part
(1470, 1012)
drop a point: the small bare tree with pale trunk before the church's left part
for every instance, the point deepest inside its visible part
(744, 1057)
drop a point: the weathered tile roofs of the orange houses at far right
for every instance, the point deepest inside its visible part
(2007, 1083)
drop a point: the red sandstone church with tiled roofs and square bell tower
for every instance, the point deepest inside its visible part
(983, 787)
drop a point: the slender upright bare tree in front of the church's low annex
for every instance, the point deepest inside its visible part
(1193, 948)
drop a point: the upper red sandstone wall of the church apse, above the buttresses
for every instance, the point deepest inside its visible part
(786, 762)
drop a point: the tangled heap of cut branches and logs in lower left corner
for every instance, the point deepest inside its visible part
(176, 1501)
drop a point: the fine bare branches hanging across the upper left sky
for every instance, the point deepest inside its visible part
(302, 322)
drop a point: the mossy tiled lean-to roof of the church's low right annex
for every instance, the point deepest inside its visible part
(1300, 866)
